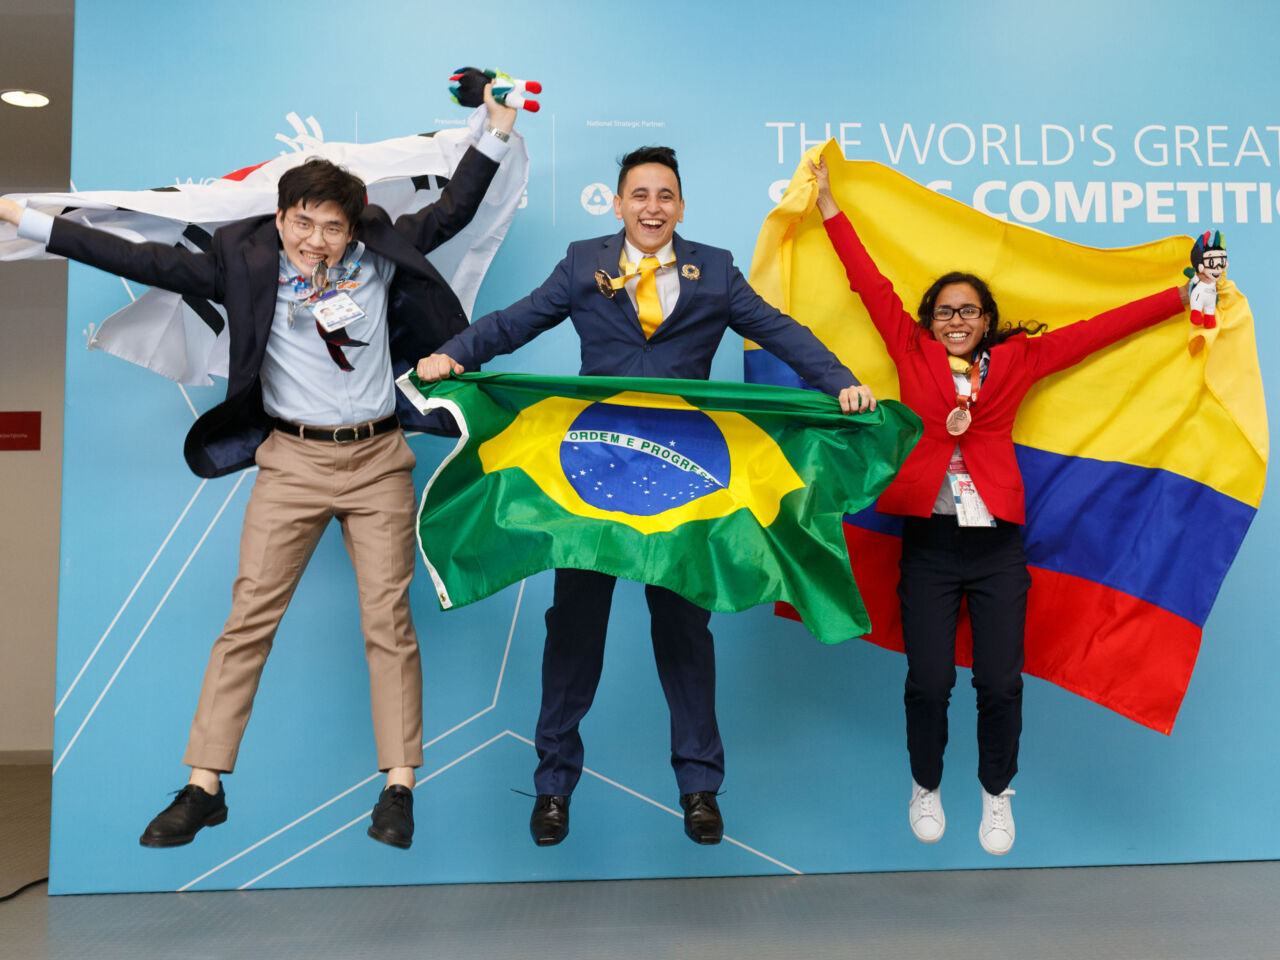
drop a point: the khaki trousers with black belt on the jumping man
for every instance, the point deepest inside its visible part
(301, 486)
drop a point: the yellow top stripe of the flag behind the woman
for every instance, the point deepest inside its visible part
(1168, 397)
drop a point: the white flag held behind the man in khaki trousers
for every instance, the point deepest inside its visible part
(185, 339)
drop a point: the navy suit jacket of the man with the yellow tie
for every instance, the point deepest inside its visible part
(714, 296)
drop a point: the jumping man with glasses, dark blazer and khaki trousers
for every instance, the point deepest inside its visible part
(321, 301)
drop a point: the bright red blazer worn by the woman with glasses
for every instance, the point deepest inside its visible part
(929, 388)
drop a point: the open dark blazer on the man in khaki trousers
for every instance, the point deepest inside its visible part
(241, 272)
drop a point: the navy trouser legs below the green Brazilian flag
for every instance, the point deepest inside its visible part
(574, 656)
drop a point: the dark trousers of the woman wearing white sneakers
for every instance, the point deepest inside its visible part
(944, 563)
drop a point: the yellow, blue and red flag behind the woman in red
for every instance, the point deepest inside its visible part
(1144, 465)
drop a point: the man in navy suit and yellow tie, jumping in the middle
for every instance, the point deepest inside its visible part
(646, 303)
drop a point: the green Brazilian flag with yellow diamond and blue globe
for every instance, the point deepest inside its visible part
(729, 495)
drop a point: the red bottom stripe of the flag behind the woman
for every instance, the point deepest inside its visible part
(1105, 646)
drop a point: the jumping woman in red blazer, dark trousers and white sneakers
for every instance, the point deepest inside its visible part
(962, 496)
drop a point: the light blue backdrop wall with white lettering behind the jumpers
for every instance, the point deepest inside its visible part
(982, 100)
